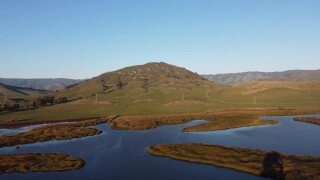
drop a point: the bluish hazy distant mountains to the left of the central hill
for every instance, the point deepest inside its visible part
(42, 84)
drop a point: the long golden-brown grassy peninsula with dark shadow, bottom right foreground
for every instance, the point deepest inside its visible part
(261, 163)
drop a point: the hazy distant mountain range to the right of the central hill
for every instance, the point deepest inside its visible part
(238, 78)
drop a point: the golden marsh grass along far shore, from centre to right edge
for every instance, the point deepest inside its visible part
(218, 120)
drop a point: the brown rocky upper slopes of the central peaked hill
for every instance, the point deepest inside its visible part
(141, 80)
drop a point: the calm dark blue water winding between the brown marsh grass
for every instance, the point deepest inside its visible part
(122, 155)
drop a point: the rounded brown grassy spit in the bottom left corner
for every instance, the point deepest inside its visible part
(22, 163)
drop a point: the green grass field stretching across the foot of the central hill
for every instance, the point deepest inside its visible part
(131, 102)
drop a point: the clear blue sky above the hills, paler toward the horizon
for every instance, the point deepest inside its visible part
(84, 38)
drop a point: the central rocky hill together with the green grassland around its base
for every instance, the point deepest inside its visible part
(160, 88)
